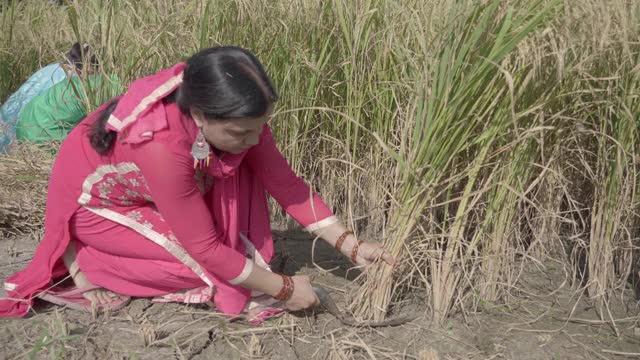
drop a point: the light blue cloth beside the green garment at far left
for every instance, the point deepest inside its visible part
(35, 85)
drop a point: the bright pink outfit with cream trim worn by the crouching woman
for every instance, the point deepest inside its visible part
(146, 224)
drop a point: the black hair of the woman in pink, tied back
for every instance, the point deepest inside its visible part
(222, 83)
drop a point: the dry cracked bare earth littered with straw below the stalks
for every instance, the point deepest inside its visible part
(534, 326)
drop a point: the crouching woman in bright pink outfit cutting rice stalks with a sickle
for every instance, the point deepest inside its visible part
(161, 193)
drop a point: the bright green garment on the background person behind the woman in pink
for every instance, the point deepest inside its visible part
(55, 112)
